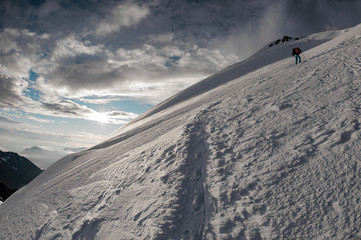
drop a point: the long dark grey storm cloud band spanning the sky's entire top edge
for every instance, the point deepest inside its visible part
(203, 19)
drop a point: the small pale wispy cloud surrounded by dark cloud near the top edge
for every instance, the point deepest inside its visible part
(124, 15)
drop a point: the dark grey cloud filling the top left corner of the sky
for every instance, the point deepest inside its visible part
(51, 16)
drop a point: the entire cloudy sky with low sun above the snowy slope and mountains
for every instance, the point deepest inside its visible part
(72, 72)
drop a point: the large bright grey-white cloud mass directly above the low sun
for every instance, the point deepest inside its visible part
(79, 70)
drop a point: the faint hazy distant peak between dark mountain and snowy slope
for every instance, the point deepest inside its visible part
(41, 157)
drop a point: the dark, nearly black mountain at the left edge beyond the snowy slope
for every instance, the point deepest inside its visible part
(16, 171)
